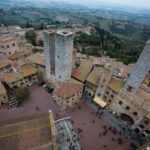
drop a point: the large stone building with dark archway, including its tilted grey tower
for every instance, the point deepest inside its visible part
(132, 104)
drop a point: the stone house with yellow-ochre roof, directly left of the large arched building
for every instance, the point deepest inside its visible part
(112, 91)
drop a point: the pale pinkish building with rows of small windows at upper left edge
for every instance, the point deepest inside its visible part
(8, 46)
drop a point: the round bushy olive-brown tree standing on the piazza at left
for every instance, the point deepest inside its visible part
(22, 94)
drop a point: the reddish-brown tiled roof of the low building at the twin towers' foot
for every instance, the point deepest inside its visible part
(66, 90)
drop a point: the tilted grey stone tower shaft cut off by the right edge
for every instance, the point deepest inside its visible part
(140, 70)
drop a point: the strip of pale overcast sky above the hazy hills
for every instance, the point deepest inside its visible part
(133, 3)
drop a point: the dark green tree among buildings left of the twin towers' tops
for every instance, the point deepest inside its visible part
(31, 37)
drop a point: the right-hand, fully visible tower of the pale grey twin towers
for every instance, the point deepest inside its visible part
(63, 55)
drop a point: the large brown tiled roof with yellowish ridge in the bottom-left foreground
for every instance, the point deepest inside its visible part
(27, 133)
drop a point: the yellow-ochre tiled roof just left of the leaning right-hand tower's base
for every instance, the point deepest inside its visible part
(116, 84)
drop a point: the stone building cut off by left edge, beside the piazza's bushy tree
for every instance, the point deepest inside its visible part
(3, 95)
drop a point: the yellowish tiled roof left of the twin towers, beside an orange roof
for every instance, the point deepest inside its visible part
(27, 71)
